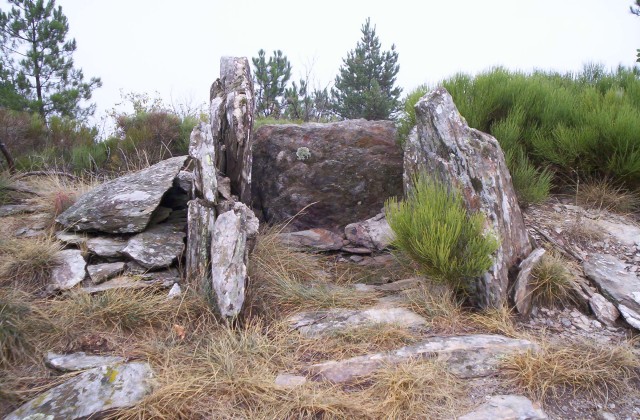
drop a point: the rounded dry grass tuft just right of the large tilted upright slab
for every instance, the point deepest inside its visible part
(552, 282)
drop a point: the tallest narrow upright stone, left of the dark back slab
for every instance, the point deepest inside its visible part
(232, 106)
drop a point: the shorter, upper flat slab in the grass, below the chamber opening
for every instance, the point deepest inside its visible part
(322, 322)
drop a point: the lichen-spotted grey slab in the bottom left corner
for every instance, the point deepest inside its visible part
(91, 393)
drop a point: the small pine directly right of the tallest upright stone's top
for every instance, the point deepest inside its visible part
(270, 78)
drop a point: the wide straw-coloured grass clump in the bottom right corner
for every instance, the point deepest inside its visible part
(580, 367)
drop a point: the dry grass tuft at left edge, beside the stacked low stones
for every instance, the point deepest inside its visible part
(27, 263)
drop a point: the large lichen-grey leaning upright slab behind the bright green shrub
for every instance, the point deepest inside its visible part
(444, 146)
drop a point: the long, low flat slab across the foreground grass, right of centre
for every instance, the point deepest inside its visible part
(467, 356)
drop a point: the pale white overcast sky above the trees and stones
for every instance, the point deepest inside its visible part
(174, 47)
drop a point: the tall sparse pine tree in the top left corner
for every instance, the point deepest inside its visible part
(37, 59)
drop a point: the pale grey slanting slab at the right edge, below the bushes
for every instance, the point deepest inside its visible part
(617, 283)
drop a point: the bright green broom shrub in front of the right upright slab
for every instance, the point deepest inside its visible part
(433, 227)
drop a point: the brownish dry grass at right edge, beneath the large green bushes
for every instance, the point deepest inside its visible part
(605, 195)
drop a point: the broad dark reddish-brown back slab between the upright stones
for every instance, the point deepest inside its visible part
(348, 169)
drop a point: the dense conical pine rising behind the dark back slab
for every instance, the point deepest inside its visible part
(364, 88)
